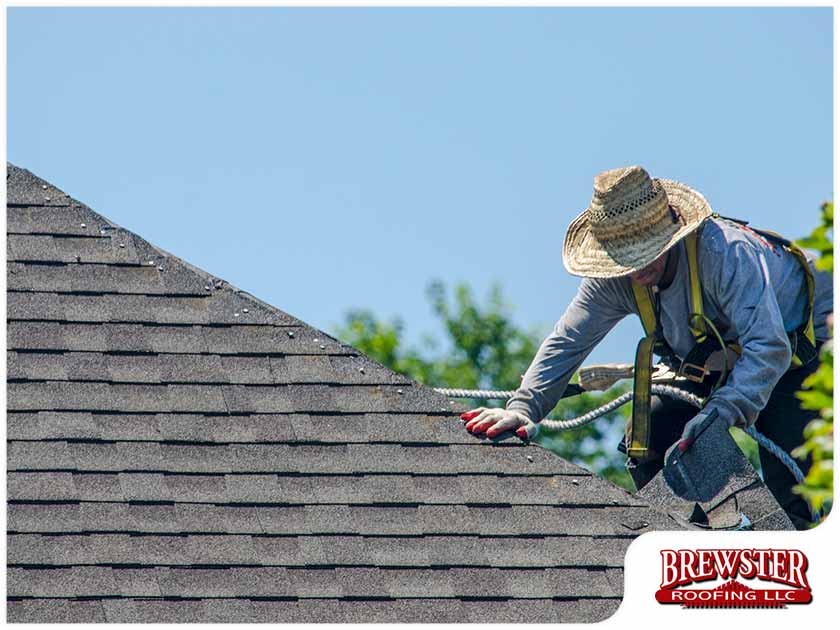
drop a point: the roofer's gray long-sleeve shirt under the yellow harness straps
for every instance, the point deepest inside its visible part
(753, 291)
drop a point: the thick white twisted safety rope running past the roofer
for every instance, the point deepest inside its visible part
(666, 390)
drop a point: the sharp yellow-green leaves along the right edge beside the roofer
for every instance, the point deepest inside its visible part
(818, 394)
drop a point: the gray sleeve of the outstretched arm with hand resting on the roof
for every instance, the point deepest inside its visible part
(595, 309)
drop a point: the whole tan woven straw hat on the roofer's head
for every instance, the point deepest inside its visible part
(631, 220)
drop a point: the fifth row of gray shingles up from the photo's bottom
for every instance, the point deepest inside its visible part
(317, 489)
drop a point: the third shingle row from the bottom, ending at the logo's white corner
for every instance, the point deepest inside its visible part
(298, 551)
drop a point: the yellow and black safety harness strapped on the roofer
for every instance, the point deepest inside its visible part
(706, 337)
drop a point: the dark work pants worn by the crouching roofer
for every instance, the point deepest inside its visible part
(782, 420)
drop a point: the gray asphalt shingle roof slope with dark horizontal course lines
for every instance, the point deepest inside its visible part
(181, 451)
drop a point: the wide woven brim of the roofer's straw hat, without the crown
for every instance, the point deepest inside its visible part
(584, 255)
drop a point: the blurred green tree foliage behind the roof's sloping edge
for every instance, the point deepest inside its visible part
(483, 348)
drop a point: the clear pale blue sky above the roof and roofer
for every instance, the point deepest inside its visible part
(327, 159)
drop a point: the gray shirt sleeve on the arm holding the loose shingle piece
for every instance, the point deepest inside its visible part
(740, 284)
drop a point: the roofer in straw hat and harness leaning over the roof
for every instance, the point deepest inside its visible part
(654, 247)
